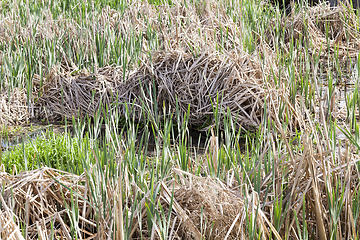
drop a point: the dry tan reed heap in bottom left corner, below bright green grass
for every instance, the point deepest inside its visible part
(41, 202)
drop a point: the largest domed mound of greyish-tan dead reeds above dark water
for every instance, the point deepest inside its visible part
(185, 80)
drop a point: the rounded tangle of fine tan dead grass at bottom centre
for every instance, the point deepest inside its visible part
(202, 208)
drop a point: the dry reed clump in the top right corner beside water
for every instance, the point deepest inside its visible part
(323, 28)
